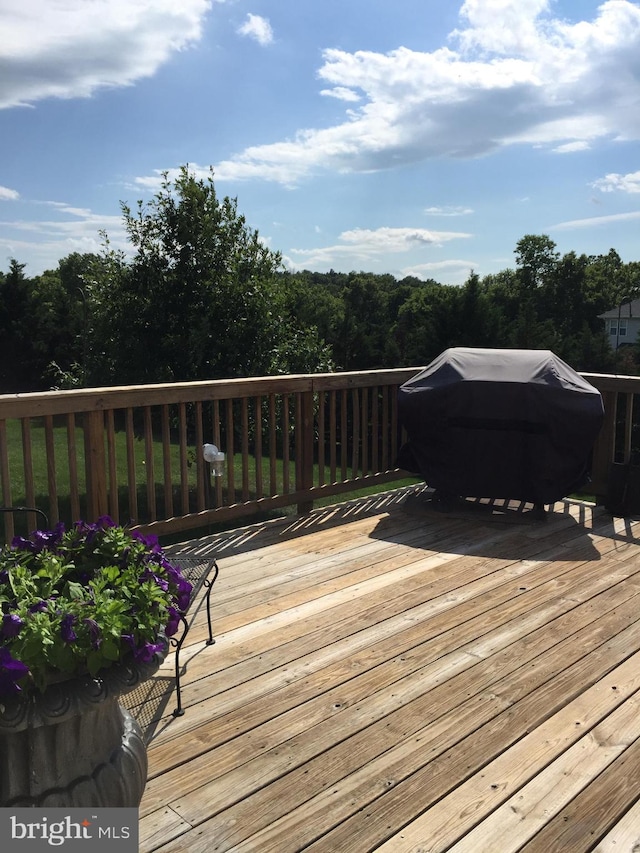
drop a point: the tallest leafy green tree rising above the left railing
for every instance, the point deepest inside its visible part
(201, 297)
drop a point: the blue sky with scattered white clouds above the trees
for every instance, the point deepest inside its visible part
(411, 137)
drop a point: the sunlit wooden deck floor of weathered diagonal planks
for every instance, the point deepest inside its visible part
(389, 678)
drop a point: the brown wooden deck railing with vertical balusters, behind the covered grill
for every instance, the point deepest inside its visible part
(135, 453)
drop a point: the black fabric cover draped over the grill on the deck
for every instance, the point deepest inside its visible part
(499, 423)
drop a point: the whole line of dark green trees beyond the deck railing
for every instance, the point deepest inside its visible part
(202, 297)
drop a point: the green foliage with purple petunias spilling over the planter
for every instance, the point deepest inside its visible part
(79, 600)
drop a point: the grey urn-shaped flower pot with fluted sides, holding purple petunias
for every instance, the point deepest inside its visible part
(74, 745)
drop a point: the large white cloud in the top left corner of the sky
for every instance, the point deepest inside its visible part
(70, 48)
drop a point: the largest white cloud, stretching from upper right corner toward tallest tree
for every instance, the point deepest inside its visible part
(512, 74)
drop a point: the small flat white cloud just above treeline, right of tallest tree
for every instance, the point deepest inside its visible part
(362, 245)
